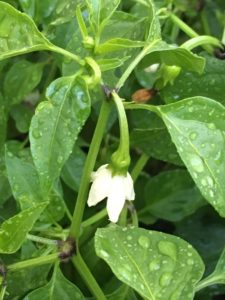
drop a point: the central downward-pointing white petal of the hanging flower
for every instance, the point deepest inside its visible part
(116, 198)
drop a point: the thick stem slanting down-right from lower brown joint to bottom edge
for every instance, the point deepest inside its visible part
(85, 273)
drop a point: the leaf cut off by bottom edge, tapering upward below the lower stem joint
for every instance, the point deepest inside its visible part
(57, 289)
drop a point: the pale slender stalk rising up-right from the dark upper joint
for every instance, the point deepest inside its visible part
(133, 64)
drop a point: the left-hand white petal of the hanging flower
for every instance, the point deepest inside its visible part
(100, 186)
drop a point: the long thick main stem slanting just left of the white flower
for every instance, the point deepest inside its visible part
(88, 168)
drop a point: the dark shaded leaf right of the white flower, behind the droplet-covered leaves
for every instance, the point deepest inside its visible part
(172, 196)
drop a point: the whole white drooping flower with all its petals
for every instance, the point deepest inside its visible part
(117, 189)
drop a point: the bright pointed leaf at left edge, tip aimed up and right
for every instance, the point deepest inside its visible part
(14, 230)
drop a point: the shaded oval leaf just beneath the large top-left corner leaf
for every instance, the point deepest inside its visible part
(21, 79)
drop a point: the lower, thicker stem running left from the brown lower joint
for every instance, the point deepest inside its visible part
(33, 262)
